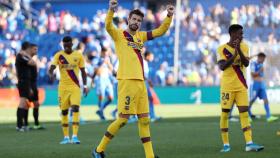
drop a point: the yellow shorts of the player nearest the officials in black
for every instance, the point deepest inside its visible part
(68, 97)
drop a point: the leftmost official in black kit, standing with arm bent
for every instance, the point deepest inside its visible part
(23, 61)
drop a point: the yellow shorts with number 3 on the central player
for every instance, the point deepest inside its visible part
(132, 97)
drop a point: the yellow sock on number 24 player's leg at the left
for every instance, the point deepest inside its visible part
(224, 127)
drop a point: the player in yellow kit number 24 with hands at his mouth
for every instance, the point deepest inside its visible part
(233, 60)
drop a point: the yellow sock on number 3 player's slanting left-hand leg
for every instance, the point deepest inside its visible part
(110, 133)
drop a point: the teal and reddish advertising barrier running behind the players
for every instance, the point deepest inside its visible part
(165, 96)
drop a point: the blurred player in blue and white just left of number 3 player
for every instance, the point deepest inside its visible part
(104, 85)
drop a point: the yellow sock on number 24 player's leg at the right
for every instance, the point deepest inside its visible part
(246, 127)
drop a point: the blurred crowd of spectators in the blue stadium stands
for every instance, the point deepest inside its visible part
(202, 30)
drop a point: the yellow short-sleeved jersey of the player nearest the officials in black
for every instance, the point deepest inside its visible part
(69, 68)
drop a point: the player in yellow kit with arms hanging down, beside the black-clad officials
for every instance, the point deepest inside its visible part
(70, 64)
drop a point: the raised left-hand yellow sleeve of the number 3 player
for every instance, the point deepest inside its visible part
(111, 29)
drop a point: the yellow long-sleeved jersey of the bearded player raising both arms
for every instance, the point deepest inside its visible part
(128, 47)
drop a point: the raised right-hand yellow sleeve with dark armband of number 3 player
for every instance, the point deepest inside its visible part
(161, 30)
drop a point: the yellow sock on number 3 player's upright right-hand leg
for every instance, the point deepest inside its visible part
(144, 133)
